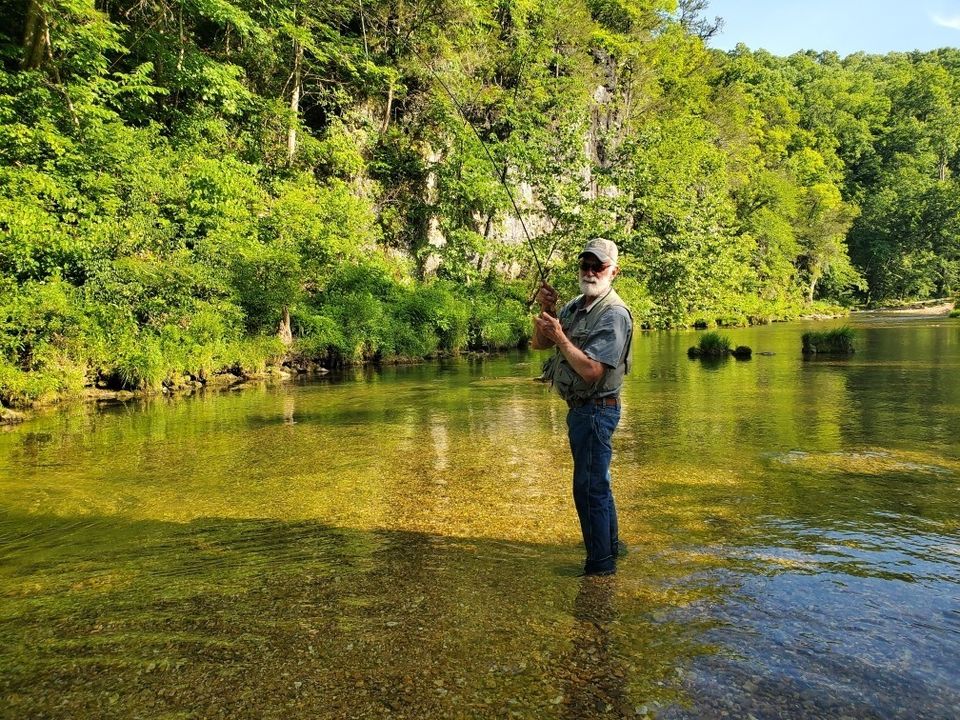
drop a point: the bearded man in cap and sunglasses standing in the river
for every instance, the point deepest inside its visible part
(592, 337)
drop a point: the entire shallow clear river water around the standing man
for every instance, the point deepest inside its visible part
(402, 543)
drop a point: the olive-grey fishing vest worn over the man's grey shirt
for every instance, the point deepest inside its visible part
(579, 326)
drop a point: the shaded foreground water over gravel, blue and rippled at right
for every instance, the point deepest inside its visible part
(103, 617)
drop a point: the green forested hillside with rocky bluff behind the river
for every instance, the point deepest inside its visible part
(181, 181)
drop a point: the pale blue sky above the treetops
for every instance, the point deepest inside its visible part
(846, 26)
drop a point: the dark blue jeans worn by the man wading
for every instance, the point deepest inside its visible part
(590, 429)
